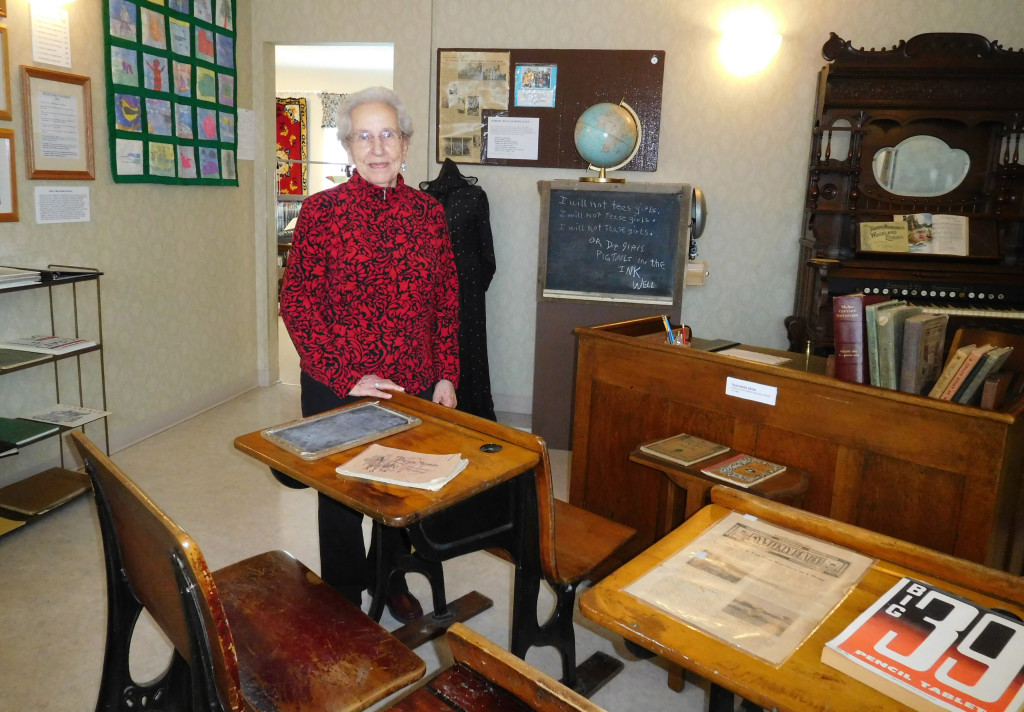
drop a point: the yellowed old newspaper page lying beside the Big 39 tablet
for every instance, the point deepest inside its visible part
(754, 585)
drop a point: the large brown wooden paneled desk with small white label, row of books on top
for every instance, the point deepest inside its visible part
(935, 474)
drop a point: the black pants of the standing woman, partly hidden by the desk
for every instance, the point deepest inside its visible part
(345, 564)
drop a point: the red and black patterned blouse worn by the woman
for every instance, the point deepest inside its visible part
(371, 287)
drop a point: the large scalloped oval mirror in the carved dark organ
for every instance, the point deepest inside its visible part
(920, 167)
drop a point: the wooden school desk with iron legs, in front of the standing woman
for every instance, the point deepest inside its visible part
(494, 519)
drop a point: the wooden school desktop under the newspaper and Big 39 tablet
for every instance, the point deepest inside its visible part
(802, 683)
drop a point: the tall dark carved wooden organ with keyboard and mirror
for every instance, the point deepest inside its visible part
(961, 93)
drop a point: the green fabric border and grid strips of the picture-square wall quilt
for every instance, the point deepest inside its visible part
(147, 139)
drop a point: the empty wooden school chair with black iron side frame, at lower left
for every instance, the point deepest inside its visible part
(264, 635)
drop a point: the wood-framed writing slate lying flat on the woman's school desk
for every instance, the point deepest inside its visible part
(320, 436)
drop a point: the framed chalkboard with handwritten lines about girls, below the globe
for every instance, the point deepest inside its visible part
(613, 242)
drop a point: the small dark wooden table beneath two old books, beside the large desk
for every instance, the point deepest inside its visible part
(788, 487)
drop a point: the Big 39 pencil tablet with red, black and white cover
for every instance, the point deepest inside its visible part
(933, 651)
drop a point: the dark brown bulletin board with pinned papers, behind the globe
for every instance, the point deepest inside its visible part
(487, 94)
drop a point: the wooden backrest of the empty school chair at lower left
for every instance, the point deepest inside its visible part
(150, 546)
